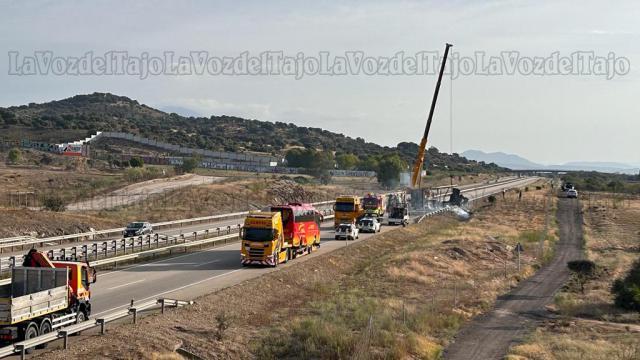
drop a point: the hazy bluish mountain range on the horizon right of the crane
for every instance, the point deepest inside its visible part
(516, 162)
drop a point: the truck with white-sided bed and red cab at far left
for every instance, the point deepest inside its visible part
(43, 296)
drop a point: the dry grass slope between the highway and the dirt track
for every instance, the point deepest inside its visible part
(402, 294)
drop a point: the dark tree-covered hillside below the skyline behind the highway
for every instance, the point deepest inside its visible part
(108, 112)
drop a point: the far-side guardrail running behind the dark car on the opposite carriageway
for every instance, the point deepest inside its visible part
(14, 243)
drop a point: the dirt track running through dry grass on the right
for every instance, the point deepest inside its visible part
(490, 336)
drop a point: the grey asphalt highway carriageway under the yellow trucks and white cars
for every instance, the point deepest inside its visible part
(189, 275)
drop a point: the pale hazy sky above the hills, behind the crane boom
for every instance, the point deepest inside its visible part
(544, 116)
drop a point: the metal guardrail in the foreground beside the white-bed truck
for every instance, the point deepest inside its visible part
(64, 332)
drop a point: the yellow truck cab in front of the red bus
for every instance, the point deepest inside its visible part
(263, 239)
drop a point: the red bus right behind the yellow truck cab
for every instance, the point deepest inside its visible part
(301, 225)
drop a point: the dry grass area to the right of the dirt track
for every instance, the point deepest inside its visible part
(612, 236)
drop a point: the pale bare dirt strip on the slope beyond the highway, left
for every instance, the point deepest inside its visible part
(140, 191)
